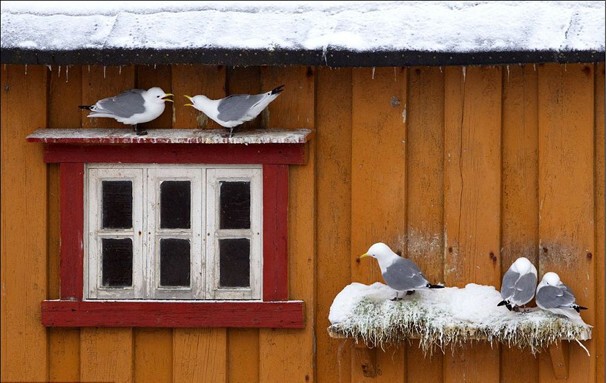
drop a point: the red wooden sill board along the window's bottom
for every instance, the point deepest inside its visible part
(171, 314)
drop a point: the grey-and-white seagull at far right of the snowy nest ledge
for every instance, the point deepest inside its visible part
(554, 296)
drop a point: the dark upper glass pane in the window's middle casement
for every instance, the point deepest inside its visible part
(175, 205)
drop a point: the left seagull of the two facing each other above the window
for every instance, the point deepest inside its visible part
(131, 107)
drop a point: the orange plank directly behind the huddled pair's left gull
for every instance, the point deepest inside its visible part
(519, 195)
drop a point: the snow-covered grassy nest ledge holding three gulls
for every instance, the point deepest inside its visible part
(444, 317)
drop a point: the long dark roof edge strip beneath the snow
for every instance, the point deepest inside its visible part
(329, 57)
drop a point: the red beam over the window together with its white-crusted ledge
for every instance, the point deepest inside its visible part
(262, 146)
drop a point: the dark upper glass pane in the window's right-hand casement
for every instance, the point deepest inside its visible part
(235, 205)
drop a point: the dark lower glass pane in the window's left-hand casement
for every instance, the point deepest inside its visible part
(117, 262)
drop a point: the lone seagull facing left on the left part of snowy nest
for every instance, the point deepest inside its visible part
(399, 273)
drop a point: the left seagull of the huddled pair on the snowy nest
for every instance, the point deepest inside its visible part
(518, 284)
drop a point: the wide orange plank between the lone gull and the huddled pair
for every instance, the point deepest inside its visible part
(472, 200)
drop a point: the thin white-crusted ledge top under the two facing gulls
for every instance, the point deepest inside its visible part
(169, 136)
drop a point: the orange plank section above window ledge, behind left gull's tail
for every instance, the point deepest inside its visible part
(100, 82)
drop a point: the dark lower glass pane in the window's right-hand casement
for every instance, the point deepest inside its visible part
(234, 263)
